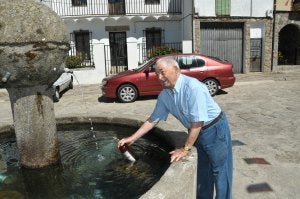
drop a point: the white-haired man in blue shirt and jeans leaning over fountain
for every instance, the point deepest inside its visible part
(190, 102)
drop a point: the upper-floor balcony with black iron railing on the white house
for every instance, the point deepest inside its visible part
(114, 7)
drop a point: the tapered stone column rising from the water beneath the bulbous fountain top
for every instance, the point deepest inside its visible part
(35, 126)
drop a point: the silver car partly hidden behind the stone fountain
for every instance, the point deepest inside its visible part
(62, 84)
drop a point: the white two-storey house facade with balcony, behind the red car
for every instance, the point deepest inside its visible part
(110, 36)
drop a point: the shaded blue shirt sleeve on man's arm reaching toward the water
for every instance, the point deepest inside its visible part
(160, 111)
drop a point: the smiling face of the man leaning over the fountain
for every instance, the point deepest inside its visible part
(166, 75)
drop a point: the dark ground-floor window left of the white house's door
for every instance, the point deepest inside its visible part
(82, 44)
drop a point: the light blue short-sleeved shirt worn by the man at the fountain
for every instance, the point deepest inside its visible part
(189, 102)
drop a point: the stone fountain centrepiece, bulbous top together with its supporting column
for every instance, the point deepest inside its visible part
(33, 49)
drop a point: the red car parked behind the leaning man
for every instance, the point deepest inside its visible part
(127, 86)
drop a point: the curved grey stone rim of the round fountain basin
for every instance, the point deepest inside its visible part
(179, 180)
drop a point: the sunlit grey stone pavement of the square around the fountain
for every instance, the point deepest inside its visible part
(264, 114)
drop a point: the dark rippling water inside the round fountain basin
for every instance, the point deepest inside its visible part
(91, 165)
